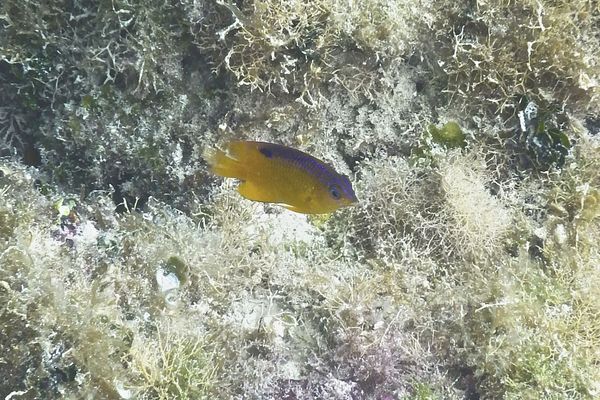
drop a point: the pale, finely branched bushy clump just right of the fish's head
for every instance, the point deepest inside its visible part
(448, 210)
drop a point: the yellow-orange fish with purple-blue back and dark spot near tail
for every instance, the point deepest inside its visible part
(273, 173)
